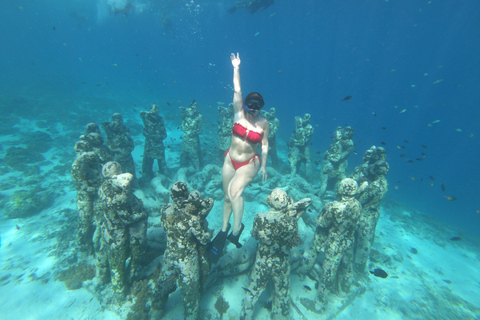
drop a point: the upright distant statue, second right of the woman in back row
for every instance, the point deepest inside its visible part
(299, 145)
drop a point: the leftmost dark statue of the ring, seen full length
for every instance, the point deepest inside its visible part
(87, 174)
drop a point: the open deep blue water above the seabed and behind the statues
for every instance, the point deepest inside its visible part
(302, 57)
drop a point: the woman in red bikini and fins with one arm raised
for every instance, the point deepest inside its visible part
(241, 163)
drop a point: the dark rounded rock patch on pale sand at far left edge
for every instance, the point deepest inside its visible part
(24, 203)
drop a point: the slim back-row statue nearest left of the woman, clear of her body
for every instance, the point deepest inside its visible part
(192, 128)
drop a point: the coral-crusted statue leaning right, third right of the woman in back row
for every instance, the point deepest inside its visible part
(334, 165)
